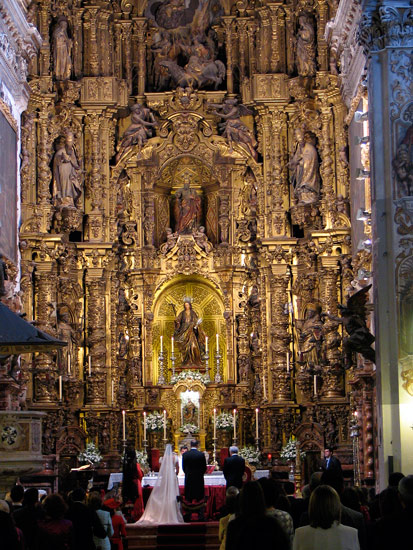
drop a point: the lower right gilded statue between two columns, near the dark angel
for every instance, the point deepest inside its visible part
(310, 336)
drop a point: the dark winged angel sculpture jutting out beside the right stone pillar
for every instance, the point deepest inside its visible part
(353, 317)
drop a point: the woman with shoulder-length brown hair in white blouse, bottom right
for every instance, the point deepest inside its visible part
(325, 530)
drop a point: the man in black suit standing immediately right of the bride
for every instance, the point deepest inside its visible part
(194, 467)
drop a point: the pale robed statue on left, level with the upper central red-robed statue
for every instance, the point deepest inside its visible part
(67, 171)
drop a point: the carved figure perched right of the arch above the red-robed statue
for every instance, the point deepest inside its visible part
(232, 128)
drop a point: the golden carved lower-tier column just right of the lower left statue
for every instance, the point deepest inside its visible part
(96, 337)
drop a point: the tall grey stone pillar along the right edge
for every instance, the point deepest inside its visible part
(387, 34)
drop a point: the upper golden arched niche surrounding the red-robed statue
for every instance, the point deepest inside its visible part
(200, 176)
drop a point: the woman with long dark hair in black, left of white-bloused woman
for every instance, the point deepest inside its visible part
(253, 528)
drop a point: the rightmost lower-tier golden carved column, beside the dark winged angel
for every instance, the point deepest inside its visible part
(333, 373)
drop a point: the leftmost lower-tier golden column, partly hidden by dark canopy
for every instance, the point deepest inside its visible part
(45, 375)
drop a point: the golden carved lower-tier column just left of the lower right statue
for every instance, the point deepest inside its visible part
(280, 337)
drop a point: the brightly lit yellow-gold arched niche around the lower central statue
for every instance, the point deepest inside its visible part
(207, 303)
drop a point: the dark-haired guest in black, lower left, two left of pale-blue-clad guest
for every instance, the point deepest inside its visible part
(55, 532)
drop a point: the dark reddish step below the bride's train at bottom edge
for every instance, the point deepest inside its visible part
(189, 536)
